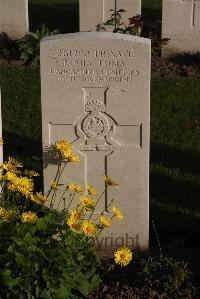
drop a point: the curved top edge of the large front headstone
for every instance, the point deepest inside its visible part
(99, 35)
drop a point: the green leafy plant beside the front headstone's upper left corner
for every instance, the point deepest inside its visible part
(30, 44)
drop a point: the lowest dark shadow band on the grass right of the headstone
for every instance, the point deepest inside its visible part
(178, 234)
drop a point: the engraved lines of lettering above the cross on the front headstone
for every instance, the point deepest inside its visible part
(95, 66)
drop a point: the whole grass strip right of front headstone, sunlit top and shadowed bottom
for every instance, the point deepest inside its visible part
(174, 168)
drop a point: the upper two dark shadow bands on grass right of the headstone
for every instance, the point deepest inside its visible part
(166, 185)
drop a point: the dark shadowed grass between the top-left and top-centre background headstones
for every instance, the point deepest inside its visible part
(64, 17)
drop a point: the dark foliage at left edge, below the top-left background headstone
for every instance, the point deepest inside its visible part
(8, 48)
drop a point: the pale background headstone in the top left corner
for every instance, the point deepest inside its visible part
(14, 17)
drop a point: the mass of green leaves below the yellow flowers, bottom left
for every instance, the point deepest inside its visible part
(35, 264)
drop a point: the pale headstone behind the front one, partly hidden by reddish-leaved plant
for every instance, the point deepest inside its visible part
(94, 12)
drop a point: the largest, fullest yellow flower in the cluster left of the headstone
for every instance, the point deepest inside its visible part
(24, 185)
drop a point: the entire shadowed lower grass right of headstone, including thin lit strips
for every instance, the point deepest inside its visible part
(175, 202)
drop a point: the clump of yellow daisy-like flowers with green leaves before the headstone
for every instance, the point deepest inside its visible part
(44, 252)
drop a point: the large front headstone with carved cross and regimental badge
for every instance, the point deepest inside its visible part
(95, 92)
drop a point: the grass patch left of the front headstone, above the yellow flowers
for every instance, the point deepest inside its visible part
(21, 115)
